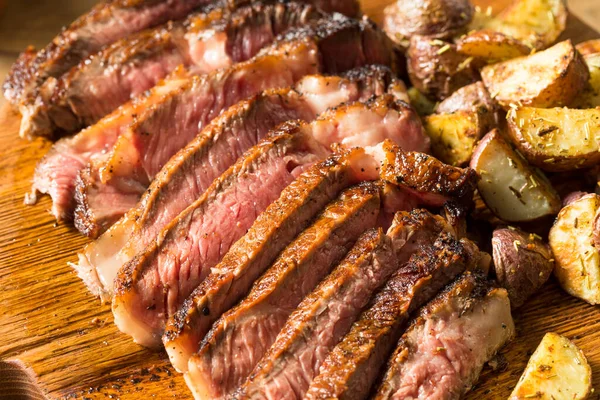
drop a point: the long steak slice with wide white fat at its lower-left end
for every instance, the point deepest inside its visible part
(187, 175)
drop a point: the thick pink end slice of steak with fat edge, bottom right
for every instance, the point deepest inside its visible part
(443, 351)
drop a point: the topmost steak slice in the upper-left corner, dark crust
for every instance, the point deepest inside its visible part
(106, 23)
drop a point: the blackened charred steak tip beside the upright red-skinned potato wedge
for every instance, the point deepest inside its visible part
(426, 174)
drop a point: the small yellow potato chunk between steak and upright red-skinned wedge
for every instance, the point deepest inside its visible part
(454, 136)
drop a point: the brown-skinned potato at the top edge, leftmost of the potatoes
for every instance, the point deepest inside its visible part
(433, 18)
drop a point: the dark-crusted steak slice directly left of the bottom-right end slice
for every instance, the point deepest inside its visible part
(353, 365)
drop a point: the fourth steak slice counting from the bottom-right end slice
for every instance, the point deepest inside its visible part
(225, 359)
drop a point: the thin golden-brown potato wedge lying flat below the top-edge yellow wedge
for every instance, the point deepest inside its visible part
(491, 46)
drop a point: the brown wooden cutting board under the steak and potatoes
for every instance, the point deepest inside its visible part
(66, 339)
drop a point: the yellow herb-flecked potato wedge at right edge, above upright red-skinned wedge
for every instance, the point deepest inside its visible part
(556, 139)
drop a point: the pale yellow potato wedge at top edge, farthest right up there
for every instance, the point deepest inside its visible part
(535, 23)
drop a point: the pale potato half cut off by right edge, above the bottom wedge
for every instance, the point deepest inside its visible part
(572, 240)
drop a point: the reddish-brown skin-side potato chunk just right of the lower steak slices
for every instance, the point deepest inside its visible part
(523, 263)
